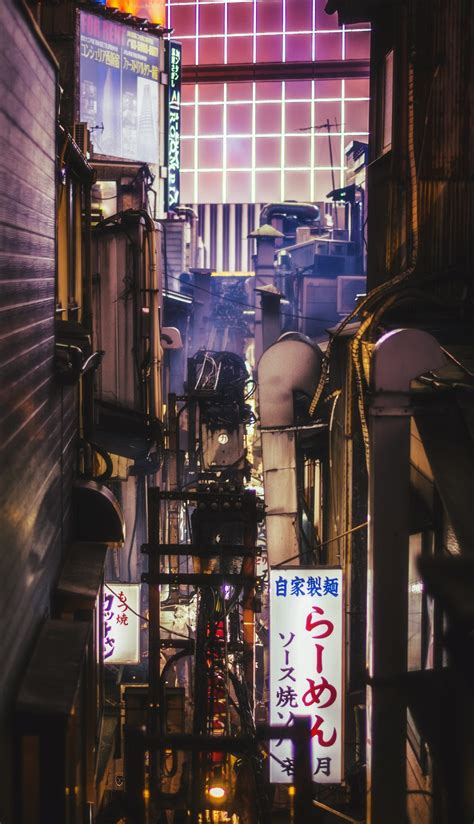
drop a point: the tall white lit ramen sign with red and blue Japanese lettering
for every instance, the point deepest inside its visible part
(306, 653)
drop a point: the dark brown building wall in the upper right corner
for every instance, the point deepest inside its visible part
(441, 36)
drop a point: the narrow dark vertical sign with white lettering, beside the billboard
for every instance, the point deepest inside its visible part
(173, 129)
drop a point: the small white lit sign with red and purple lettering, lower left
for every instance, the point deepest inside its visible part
(121, 625)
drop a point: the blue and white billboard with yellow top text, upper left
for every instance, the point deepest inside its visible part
(119, 70)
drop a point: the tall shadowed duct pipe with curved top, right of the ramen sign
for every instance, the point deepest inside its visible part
(398, 357)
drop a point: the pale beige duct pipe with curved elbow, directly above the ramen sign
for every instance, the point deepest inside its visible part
(292, 364)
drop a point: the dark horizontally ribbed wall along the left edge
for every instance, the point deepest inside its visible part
(38, 419)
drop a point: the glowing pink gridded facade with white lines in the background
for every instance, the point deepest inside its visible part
(265, 141)
